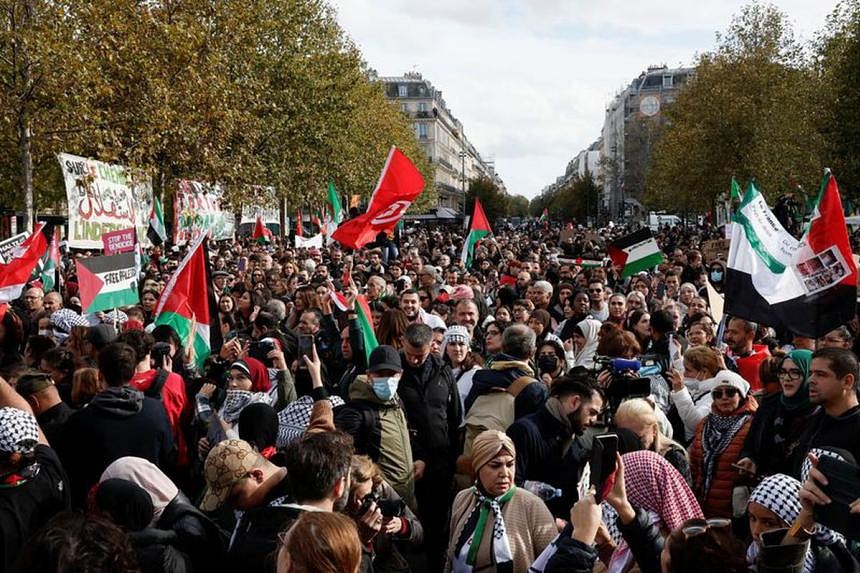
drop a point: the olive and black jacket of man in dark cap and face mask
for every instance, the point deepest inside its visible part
(379, 431)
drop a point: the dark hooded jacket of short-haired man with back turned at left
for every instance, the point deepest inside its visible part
(118, 422)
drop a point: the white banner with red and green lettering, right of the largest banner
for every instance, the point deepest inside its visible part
(197, 209)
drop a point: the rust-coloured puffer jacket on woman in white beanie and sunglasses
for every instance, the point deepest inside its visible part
(718, 500)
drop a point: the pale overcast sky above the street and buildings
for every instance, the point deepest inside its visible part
(530, 79)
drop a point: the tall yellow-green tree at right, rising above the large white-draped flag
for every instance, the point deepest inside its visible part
(751, 110)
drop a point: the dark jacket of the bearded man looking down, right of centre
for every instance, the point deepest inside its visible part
(540, 440)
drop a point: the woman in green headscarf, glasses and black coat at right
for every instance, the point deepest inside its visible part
(778, 424)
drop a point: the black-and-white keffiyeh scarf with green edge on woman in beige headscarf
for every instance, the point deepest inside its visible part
(466, 550)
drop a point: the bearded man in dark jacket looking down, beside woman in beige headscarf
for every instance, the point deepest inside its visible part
(547, 441)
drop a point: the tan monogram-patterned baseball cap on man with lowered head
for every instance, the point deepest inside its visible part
(227, 464)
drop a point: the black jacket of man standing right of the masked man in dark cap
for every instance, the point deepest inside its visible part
(432, 405)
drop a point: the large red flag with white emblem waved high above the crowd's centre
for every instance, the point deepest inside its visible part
(399, 185)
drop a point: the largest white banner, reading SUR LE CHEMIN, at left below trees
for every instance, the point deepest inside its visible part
(103, 198)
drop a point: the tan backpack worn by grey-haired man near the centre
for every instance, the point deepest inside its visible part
(491, 411)
